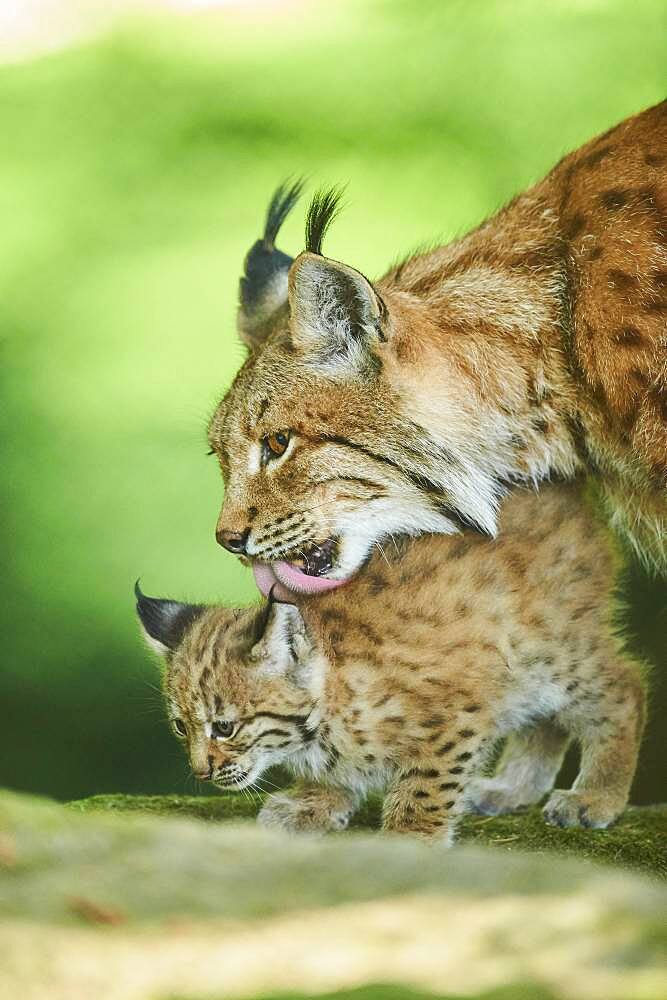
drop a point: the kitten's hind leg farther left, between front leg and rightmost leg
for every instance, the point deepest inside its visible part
(526, 770)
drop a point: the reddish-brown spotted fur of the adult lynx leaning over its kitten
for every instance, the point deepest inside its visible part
(534, 347)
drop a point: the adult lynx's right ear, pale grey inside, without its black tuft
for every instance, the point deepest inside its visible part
(335, 314)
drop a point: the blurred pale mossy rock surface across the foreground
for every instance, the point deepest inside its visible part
(138, 899)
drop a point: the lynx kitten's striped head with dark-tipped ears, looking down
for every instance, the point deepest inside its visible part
(240, 685)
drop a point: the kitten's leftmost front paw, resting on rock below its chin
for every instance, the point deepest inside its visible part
(308, 808)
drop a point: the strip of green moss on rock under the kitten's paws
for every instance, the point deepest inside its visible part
(637, 841)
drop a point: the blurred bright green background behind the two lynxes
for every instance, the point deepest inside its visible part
(134, 171)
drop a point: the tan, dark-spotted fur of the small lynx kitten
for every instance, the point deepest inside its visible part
(404, 679)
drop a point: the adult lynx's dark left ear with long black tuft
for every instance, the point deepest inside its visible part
(263, 287)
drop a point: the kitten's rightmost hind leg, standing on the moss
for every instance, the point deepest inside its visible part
(608, 720)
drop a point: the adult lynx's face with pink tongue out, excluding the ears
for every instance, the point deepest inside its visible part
(320, 466)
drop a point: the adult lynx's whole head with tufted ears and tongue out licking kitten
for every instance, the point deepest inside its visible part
(320, 438)
